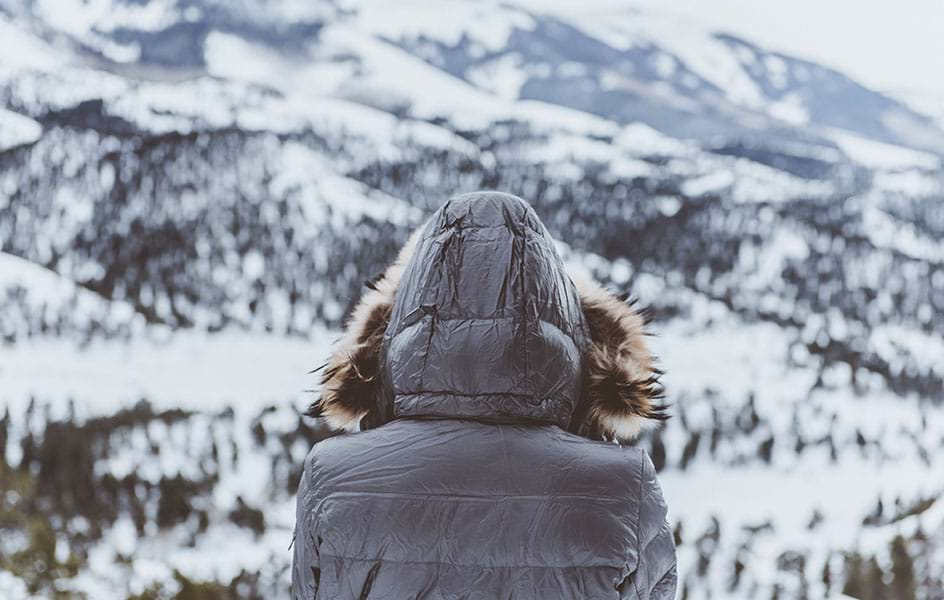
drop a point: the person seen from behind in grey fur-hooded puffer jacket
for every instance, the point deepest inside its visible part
(488, 387)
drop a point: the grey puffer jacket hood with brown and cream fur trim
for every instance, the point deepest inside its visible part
(478, 318)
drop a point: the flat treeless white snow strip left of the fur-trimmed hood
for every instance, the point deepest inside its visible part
(185, 369)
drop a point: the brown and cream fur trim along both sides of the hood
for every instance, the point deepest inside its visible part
(621, 390)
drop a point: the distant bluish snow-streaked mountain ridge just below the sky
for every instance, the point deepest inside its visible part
(630, 67)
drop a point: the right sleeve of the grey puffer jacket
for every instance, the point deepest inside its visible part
(656, 575)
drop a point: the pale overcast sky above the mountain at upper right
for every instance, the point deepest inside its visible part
(892, 45)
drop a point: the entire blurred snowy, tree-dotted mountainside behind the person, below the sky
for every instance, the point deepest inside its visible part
(192, 193)
